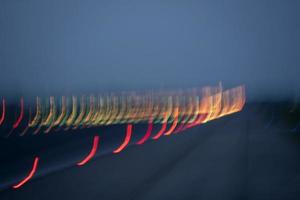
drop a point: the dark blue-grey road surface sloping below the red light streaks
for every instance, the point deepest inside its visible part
(248, 155)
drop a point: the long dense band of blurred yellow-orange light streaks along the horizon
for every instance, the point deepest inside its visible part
(180, 109)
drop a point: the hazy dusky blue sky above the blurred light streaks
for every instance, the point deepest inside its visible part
(68, 46)
